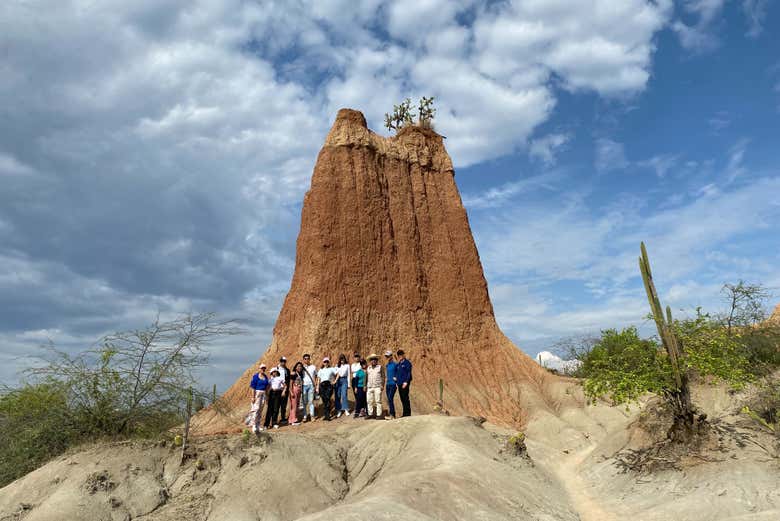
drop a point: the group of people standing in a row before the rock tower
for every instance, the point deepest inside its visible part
(288, 396)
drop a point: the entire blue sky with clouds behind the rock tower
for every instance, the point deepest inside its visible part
(154, 153)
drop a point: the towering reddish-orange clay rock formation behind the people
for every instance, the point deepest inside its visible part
(385, 260)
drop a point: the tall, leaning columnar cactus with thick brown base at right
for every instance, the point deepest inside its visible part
(680, 397)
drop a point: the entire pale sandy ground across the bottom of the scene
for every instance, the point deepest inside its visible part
(423, 467)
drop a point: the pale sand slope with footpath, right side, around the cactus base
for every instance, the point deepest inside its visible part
(577, 447)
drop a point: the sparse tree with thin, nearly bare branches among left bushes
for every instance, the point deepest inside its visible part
(135, 381)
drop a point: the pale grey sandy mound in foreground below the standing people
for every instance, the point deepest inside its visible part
(423, 467)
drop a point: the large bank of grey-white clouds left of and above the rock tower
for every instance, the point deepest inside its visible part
(170, 142)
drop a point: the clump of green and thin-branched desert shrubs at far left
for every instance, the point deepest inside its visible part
(135, 383)
